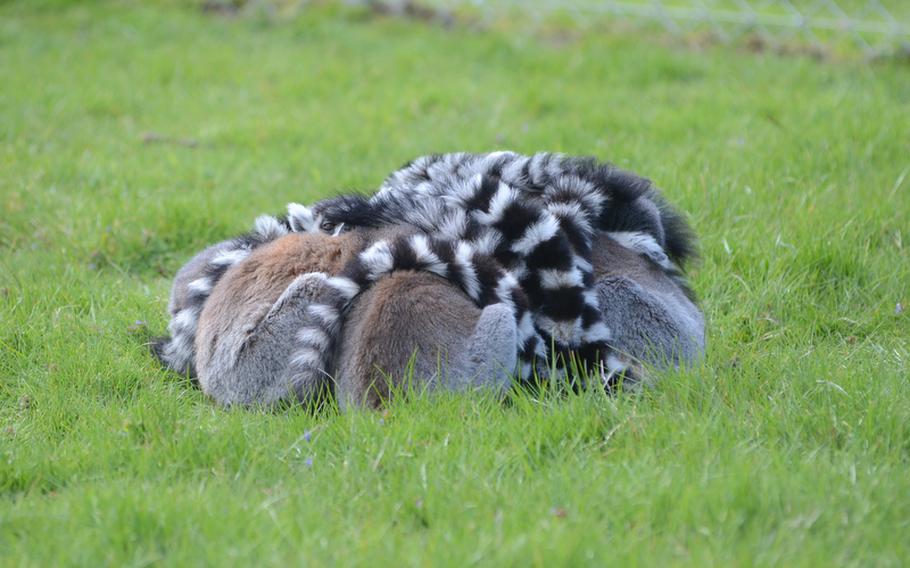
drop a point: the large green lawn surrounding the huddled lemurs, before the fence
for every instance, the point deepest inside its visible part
(790, 445)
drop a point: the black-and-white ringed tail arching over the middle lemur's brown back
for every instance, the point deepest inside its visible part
(477, 274)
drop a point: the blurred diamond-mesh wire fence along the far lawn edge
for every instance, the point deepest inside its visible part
(877, 27)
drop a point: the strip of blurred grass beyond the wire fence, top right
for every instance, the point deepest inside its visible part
(830, 29)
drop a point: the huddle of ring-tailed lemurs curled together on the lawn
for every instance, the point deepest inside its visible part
(462, 270)
